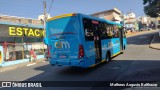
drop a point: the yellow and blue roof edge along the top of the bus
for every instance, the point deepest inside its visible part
(87, 16)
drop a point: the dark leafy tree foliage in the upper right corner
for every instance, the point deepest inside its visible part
(152, 7)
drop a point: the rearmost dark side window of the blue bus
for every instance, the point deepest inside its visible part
(88, 31)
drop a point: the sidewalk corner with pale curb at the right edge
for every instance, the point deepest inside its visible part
(155, 43)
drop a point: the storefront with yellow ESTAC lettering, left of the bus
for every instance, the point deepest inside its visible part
(17, 40)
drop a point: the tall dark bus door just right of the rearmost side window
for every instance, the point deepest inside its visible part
(97, 44)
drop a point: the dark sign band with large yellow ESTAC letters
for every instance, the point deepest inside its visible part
(20, 31)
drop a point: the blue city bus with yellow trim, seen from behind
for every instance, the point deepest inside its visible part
(82, 40)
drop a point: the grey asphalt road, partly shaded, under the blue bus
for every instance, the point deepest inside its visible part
(137, 63)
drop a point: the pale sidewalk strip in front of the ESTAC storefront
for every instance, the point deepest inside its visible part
(7, 68)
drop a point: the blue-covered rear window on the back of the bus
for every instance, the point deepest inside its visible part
(65, 25)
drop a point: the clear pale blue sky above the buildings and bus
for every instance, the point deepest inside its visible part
(33, 8)
